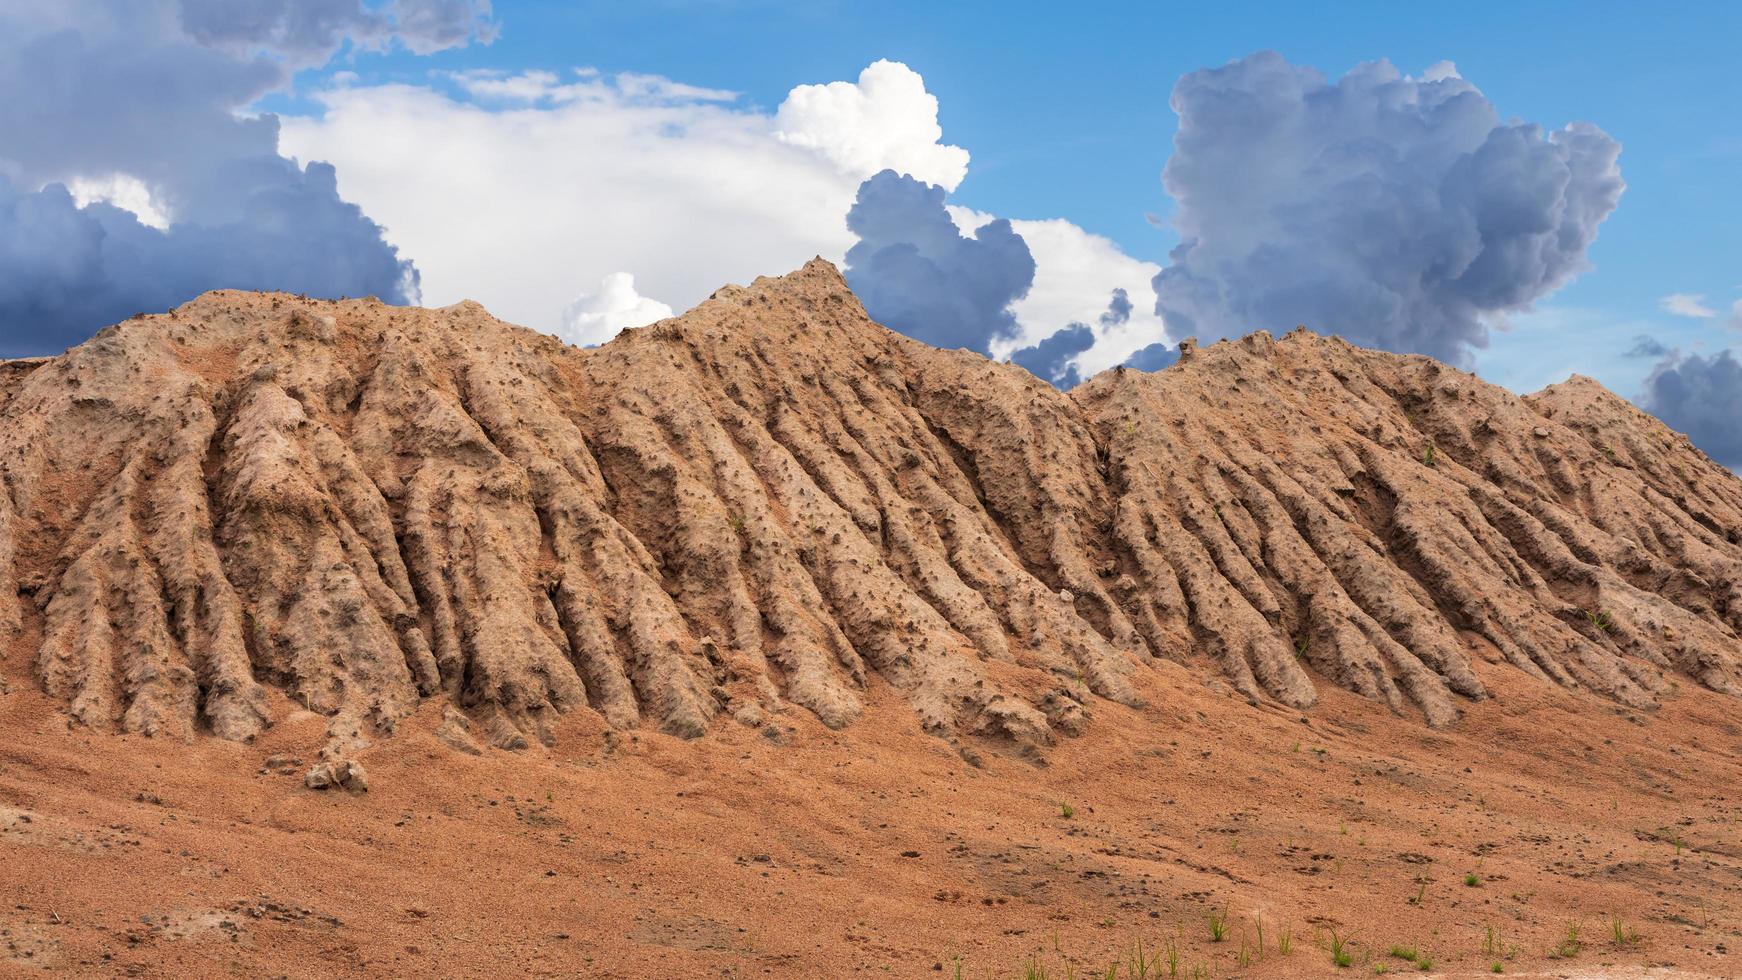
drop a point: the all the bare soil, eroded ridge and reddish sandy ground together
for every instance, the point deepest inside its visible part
(766, 641)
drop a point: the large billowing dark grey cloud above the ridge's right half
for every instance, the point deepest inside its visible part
(1400, 213)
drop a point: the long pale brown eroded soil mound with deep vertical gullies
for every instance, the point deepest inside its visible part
(773, 500)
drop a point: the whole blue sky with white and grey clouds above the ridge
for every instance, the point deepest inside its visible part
(583, 168)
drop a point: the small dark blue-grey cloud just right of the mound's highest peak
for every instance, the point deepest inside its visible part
(917, 274)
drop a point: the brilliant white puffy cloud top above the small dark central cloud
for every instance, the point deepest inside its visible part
(886, 121)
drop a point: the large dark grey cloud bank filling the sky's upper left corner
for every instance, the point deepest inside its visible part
(149, 91)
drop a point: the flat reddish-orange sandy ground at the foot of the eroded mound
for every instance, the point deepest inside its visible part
(879, 852)
